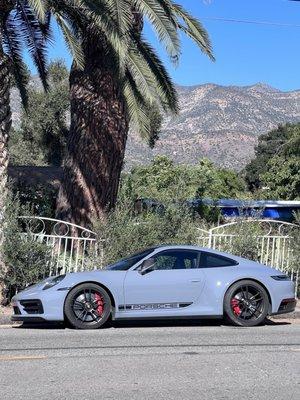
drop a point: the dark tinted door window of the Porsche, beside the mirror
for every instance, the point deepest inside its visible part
(176, 259)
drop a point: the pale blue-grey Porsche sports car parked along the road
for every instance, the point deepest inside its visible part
(161, 282)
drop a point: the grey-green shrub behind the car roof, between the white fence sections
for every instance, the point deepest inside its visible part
(124, 232)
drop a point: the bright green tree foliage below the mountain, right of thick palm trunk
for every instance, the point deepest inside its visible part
(164, 180)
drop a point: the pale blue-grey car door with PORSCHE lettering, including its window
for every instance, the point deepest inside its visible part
(173, 284)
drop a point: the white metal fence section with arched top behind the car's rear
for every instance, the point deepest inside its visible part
(273, 242)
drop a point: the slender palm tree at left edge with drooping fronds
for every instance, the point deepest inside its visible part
(26, 24)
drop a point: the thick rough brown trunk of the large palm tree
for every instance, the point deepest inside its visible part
(96, 141)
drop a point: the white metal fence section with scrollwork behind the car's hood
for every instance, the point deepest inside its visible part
(69, 252)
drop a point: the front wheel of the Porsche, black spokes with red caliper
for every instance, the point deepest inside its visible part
(87, 306)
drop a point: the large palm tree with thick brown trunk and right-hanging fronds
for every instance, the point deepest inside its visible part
(122, 78)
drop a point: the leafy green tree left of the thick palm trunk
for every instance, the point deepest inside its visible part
(41, 136)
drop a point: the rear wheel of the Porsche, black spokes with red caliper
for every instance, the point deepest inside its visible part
(246, 303)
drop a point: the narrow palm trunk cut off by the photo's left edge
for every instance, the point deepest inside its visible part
(5, 124)
